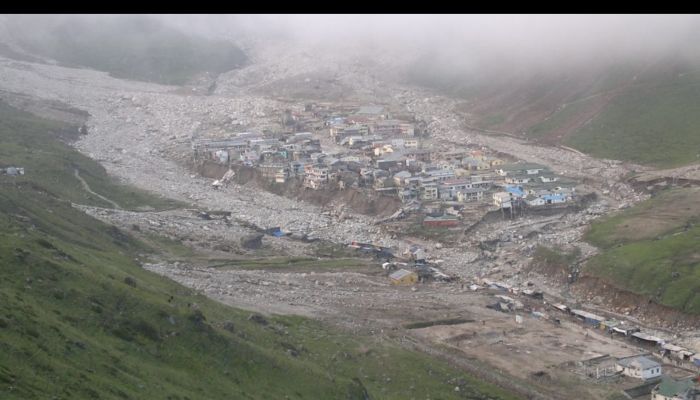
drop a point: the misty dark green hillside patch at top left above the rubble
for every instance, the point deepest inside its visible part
(132, 47)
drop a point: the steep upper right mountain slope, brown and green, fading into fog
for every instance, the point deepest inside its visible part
(645, 111)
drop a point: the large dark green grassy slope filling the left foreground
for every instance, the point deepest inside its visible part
(79, 318)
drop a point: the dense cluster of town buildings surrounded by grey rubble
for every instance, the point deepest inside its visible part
(385, 153)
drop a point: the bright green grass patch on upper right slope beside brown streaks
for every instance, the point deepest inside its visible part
(655, 124)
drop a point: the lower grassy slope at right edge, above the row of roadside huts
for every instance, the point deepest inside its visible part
(643, 246)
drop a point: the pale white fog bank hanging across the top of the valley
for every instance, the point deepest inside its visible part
(461, 42)
